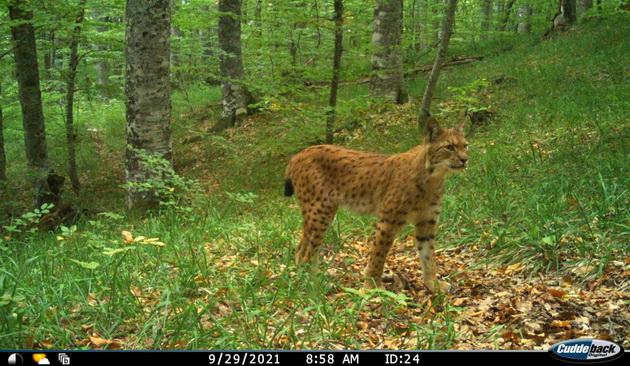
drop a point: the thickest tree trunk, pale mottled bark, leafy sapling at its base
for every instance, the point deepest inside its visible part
(148, 101)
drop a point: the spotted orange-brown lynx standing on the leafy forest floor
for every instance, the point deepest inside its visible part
(398, 189)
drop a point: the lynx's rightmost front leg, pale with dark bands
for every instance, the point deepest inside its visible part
(425, 236)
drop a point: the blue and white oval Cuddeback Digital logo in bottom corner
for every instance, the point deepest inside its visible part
(586, 350)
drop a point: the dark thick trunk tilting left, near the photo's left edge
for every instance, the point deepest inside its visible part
(31, 102)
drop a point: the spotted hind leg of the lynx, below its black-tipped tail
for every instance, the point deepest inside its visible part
(317, 217)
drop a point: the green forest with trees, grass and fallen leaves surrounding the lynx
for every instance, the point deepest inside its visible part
(143, 146)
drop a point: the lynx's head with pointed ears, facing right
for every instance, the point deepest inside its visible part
(446, 148)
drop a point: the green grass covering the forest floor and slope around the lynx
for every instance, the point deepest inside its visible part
(547, 185)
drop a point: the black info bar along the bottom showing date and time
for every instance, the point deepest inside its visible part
(283, 358)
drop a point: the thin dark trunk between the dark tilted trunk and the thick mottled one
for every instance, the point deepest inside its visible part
(71, 133)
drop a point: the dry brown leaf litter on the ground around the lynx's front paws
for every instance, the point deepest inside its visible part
(490, 307)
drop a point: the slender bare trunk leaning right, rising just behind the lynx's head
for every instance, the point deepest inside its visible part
(447, 31)
